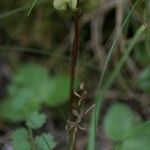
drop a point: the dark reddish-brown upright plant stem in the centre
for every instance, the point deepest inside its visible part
(74, 58)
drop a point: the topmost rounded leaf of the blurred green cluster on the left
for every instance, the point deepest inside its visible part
(31, 76)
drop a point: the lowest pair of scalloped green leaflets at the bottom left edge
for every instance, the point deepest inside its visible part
(21, 141)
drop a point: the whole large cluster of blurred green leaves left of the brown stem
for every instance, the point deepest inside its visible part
(31, 87)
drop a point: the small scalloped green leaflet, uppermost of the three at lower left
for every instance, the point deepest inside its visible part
(36, 120)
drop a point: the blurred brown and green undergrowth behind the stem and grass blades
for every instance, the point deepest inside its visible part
(35, 54)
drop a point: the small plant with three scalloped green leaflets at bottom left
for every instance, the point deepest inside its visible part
(23, 138)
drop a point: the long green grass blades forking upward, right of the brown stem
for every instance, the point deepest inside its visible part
(101, 91)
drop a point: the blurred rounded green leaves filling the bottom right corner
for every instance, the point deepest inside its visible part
(124, 127)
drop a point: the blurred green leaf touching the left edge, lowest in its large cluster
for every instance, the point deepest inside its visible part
(18, 108)
